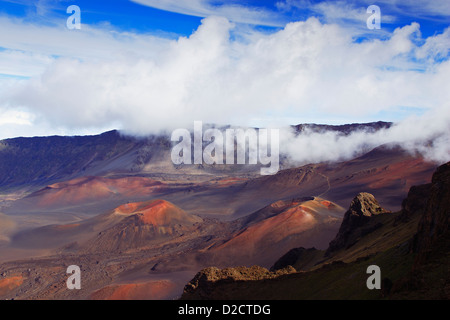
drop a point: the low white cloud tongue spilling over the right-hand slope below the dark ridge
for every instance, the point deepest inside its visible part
(428, 135)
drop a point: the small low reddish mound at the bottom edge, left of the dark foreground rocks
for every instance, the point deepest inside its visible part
(153, 290)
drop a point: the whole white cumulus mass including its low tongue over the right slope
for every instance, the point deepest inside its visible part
(223, 75)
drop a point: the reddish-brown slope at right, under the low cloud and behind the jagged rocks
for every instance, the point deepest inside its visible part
(387, 172)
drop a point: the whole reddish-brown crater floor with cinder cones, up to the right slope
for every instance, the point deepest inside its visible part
(227, 221)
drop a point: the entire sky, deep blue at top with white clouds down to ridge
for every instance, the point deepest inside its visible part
(148, 66)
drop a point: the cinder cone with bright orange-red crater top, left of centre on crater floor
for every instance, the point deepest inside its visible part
(129, 225)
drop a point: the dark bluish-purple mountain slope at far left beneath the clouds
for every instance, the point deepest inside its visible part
(41, 160)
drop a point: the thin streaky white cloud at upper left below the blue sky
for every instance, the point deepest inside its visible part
(34, 47)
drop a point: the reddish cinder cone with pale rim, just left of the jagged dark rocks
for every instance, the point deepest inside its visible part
(296, 223)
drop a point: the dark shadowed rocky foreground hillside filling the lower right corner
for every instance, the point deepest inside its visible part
(410, 246)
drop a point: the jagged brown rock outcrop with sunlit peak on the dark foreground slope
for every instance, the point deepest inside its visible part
(356, 222)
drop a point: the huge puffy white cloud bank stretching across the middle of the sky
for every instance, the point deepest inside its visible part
(209, 77)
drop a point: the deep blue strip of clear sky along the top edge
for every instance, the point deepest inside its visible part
(137, 17)
